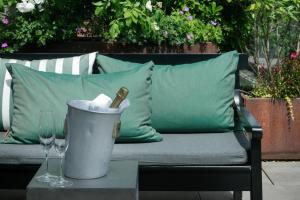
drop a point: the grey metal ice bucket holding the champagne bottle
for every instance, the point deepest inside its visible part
(92, 136)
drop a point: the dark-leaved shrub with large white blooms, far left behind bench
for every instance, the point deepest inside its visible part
(38, 22)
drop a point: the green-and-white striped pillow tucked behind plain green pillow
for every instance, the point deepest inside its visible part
(72, 65)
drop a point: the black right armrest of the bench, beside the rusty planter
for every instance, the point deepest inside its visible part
(245, 118)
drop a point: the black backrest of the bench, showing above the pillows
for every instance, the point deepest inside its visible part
(162, 59)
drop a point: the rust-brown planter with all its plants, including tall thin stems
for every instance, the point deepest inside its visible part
(274, 99)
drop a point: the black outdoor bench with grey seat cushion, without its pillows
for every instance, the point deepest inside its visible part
(181, 162)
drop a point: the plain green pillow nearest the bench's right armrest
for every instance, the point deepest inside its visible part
(194, 97)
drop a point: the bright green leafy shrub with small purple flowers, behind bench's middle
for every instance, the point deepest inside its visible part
(149, 22)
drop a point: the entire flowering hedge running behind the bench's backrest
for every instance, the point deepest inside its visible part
(38, 22)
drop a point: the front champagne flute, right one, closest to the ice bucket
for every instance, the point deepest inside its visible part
(61, 144)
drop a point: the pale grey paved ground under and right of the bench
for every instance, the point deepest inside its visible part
(284, 185)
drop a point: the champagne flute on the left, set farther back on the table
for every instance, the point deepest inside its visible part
(46, 137)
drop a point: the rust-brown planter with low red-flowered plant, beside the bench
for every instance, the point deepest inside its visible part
(275, 103)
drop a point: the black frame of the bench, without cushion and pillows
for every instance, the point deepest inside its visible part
(236, 178)
